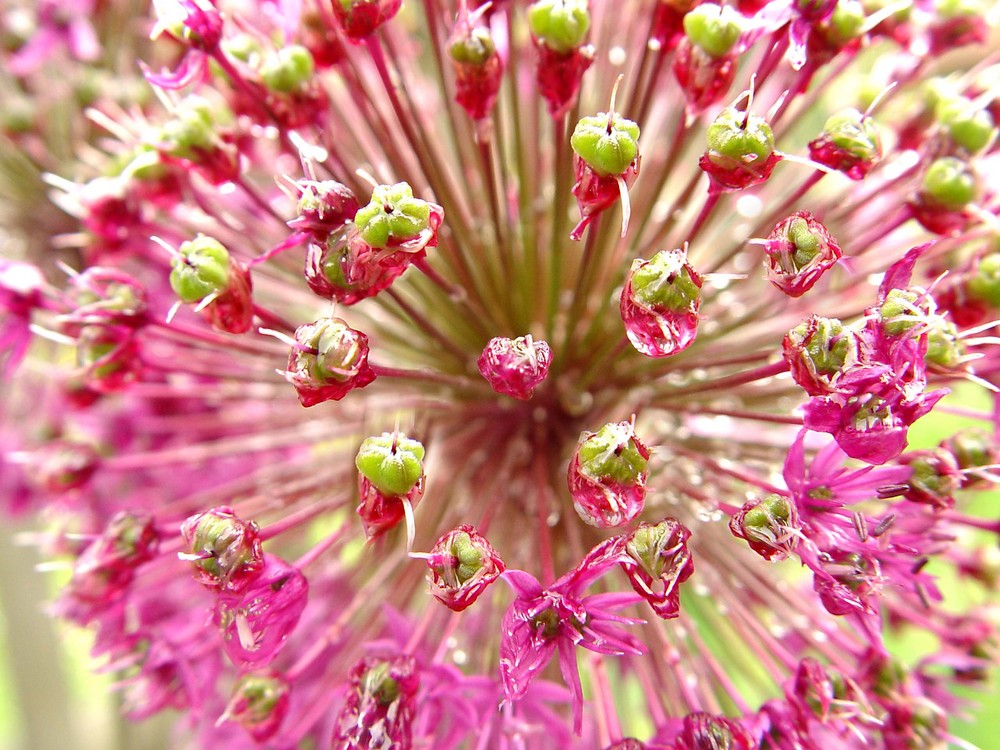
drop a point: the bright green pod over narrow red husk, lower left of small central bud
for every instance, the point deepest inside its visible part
(390, 480)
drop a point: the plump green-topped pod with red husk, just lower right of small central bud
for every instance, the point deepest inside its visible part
(607, 475)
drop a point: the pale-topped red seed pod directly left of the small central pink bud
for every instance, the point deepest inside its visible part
(329, 361)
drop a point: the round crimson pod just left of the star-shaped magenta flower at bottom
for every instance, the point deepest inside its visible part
(461, 565)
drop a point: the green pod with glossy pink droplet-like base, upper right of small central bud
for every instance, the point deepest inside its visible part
(660, 302)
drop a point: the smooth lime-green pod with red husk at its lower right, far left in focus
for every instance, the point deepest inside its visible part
(204, 274)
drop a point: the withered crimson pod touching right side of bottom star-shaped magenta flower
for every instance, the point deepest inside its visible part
(658, 562)
